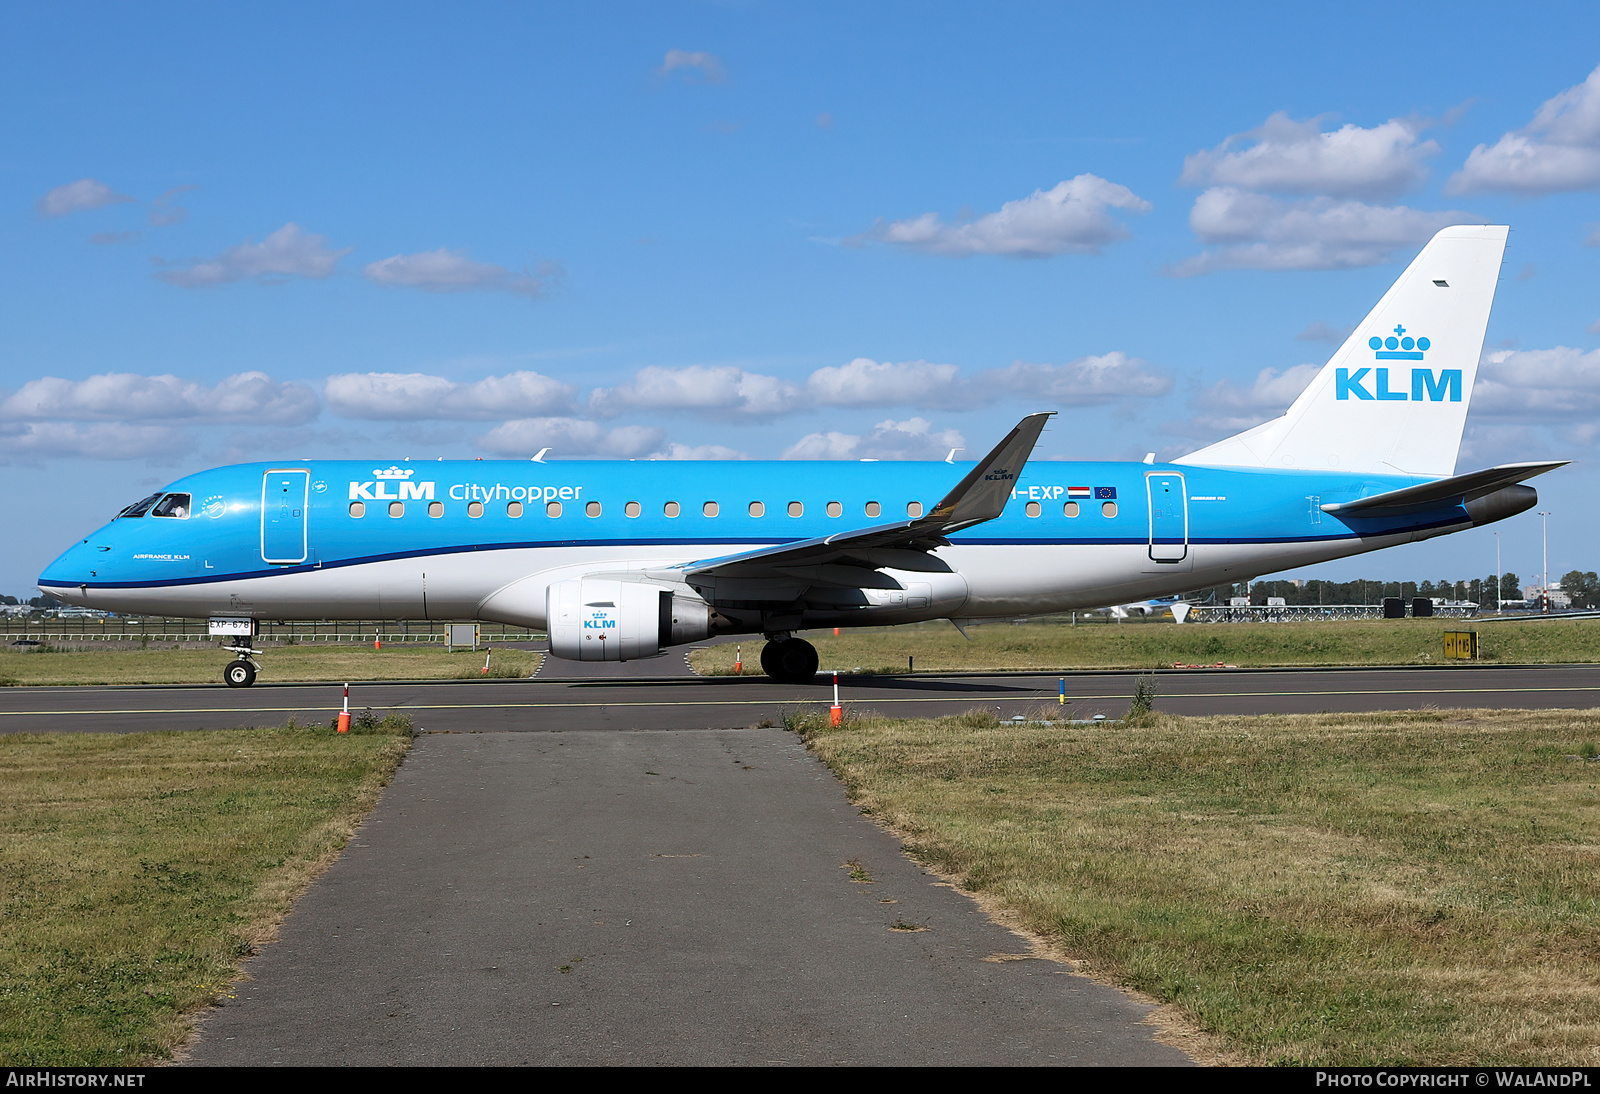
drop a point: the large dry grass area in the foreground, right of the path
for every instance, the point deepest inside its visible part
(1335, 890)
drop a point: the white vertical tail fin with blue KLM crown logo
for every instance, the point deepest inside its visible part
(1394, 399)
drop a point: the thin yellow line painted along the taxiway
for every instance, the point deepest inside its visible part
(818, 700)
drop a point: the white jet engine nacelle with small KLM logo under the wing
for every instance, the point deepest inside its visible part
(607, 620)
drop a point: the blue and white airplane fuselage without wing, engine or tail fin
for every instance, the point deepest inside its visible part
(439, 540)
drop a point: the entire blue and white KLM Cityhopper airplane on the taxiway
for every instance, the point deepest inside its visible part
(620, 561)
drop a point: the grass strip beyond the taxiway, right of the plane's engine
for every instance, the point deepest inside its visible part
(1159, 645)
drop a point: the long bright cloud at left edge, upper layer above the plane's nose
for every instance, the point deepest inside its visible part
(246, 397)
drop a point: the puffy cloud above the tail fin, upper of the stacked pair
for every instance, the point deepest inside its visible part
(1298, 158)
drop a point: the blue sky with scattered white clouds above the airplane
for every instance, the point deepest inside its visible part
(751, 230)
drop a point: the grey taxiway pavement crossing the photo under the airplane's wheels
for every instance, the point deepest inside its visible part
(601, 701)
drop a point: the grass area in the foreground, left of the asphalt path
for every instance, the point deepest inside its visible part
(138, 871)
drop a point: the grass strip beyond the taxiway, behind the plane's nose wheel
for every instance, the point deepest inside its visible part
(194, 663)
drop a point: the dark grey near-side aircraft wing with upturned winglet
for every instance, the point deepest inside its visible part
(854, 559)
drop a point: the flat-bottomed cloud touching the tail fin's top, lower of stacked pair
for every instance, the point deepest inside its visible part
(1262, 233)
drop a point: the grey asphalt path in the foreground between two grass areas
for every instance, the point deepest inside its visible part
(647, 898)
